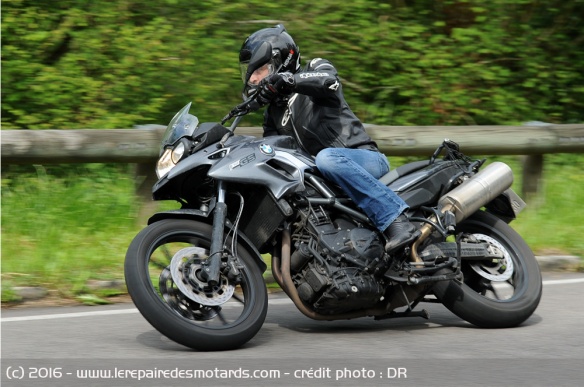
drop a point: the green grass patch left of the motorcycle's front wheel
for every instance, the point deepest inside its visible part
(65, 226)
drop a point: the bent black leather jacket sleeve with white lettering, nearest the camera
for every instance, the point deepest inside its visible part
(319, 80)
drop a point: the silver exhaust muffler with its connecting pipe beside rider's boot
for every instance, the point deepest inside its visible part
(469, 197)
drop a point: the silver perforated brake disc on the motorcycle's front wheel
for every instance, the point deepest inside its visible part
(186, 266)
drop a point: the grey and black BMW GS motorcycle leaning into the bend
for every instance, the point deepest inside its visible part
(195, 273)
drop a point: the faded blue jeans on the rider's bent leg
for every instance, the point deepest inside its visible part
(357, 172)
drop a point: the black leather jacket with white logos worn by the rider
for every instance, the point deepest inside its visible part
(316, 113)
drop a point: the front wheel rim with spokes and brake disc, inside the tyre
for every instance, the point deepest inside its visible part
(172, 265)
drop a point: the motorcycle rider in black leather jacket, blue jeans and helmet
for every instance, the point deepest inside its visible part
(309, 105)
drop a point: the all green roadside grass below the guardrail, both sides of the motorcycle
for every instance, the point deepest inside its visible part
(65, 225)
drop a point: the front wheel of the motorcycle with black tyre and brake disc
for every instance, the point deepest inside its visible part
(162, 270)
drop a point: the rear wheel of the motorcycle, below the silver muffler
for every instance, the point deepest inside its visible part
(494, 294)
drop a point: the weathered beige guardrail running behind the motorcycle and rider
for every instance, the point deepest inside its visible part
(141, 145)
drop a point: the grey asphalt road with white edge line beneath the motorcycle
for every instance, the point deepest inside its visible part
(69, 346)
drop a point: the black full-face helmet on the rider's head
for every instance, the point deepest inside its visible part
(272, 46)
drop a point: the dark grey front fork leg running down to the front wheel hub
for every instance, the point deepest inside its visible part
(212, 266)
